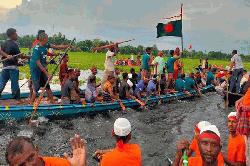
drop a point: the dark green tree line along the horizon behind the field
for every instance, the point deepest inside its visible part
(87, 45)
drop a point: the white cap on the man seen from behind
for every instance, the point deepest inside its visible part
(122, 127)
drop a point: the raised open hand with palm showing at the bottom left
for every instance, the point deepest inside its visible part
(78, 147)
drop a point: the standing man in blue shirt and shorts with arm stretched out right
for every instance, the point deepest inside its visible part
(38, 66)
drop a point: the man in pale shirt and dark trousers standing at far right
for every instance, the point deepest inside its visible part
(237, 66)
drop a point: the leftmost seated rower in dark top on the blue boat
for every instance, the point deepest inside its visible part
(69, 94)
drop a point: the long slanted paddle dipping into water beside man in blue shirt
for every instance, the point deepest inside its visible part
(37, 103)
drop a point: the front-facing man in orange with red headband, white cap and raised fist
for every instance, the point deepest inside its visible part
(209, 145)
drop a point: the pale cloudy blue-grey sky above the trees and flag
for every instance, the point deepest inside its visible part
(219, 25)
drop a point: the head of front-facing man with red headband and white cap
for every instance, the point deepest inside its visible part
(209, 143)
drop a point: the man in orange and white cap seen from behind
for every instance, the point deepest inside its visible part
(124, 154)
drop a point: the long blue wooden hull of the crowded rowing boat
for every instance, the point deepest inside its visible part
(23, 112)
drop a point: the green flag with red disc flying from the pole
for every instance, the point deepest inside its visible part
(172, 28)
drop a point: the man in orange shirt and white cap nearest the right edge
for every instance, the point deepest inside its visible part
(236, 144)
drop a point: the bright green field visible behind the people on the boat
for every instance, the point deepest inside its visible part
(85, 60)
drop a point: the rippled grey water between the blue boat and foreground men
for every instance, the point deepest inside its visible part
(155, 130)
